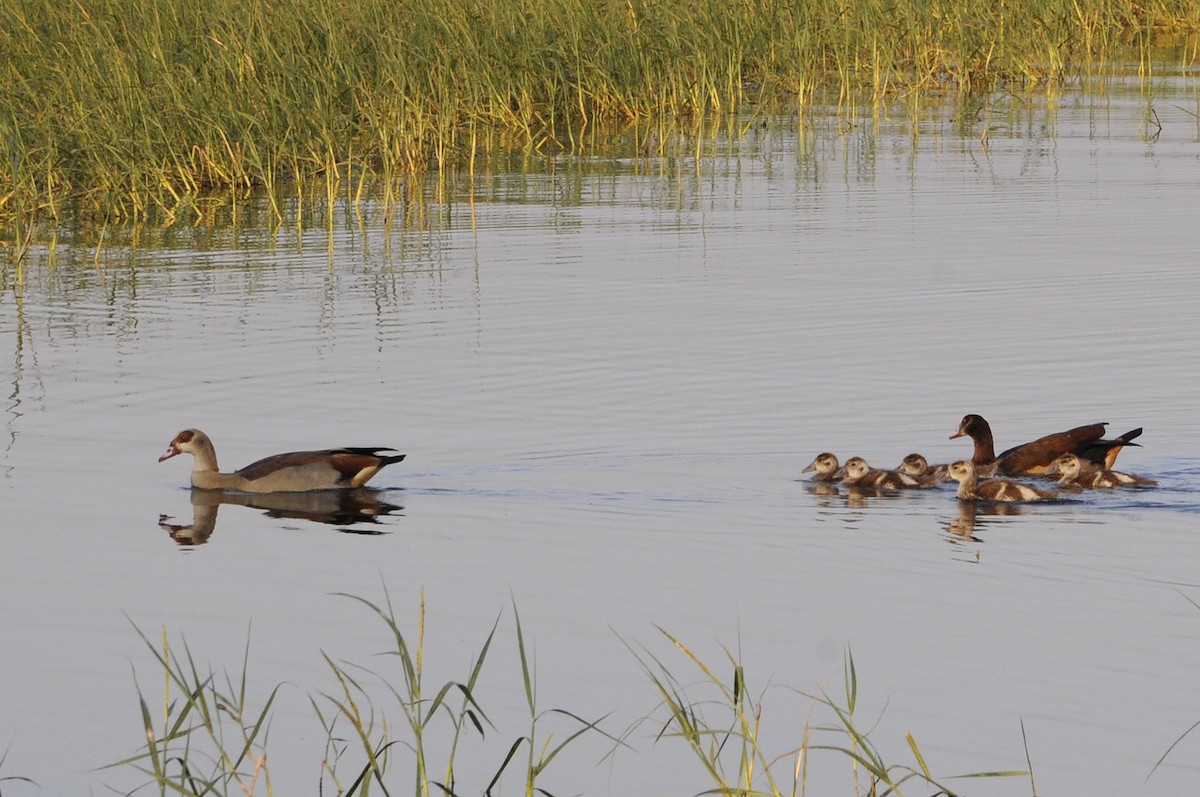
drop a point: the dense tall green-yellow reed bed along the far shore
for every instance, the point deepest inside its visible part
(134, 110)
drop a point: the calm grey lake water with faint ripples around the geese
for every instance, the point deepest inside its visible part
(608, 375)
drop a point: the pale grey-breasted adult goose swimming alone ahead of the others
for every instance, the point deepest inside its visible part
(297, 472)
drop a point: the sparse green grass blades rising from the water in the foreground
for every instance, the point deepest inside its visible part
(208, 734)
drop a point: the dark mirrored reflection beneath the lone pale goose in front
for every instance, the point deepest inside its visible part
(343, 508)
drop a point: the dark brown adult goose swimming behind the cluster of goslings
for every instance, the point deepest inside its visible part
(1033, 459)
